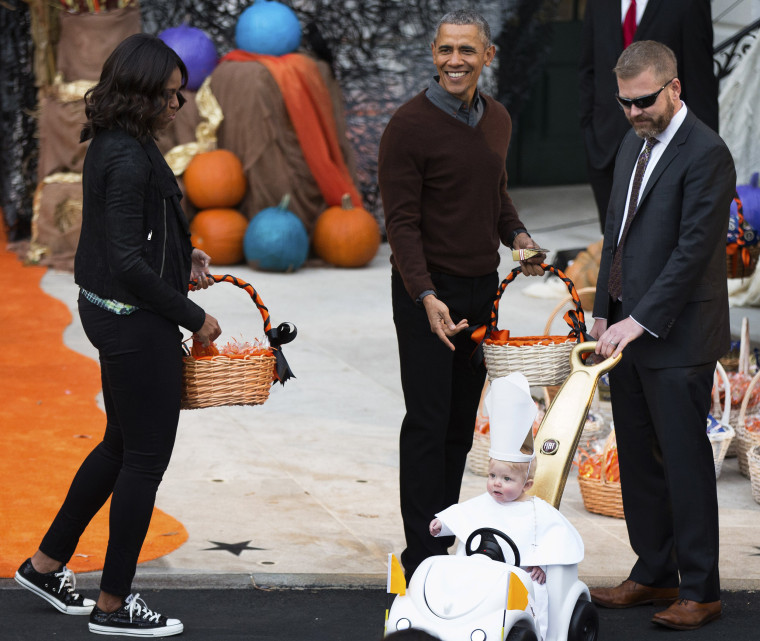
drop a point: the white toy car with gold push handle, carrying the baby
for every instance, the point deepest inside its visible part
(464, 598)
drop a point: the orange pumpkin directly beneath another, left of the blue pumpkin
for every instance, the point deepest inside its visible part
(219, 232)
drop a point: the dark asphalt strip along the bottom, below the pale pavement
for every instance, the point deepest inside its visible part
(328, 615)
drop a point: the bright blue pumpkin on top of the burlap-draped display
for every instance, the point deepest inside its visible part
(268, 27)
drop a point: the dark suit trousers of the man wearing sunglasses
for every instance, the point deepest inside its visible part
(667, 473)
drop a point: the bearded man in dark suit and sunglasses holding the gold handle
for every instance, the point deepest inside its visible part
(662, 300)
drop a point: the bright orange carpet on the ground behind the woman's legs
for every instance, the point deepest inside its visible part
(49, 422)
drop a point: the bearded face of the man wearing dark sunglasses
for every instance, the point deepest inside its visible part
(655, 119)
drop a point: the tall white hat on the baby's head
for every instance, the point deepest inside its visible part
(511, 413)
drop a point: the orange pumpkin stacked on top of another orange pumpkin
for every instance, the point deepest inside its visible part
(215, 179)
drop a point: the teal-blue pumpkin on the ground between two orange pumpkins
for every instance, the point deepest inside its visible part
(276, 240)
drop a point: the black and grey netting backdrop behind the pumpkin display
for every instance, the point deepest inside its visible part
(379, 51)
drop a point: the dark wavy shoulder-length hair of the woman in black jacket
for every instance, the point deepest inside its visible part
(130, 93)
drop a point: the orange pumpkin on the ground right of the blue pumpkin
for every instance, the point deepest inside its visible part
(346, 236)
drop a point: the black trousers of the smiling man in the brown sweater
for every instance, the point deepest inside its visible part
(441, 392)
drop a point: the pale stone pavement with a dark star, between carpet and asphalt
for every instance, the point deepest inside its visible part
(303, 491)
